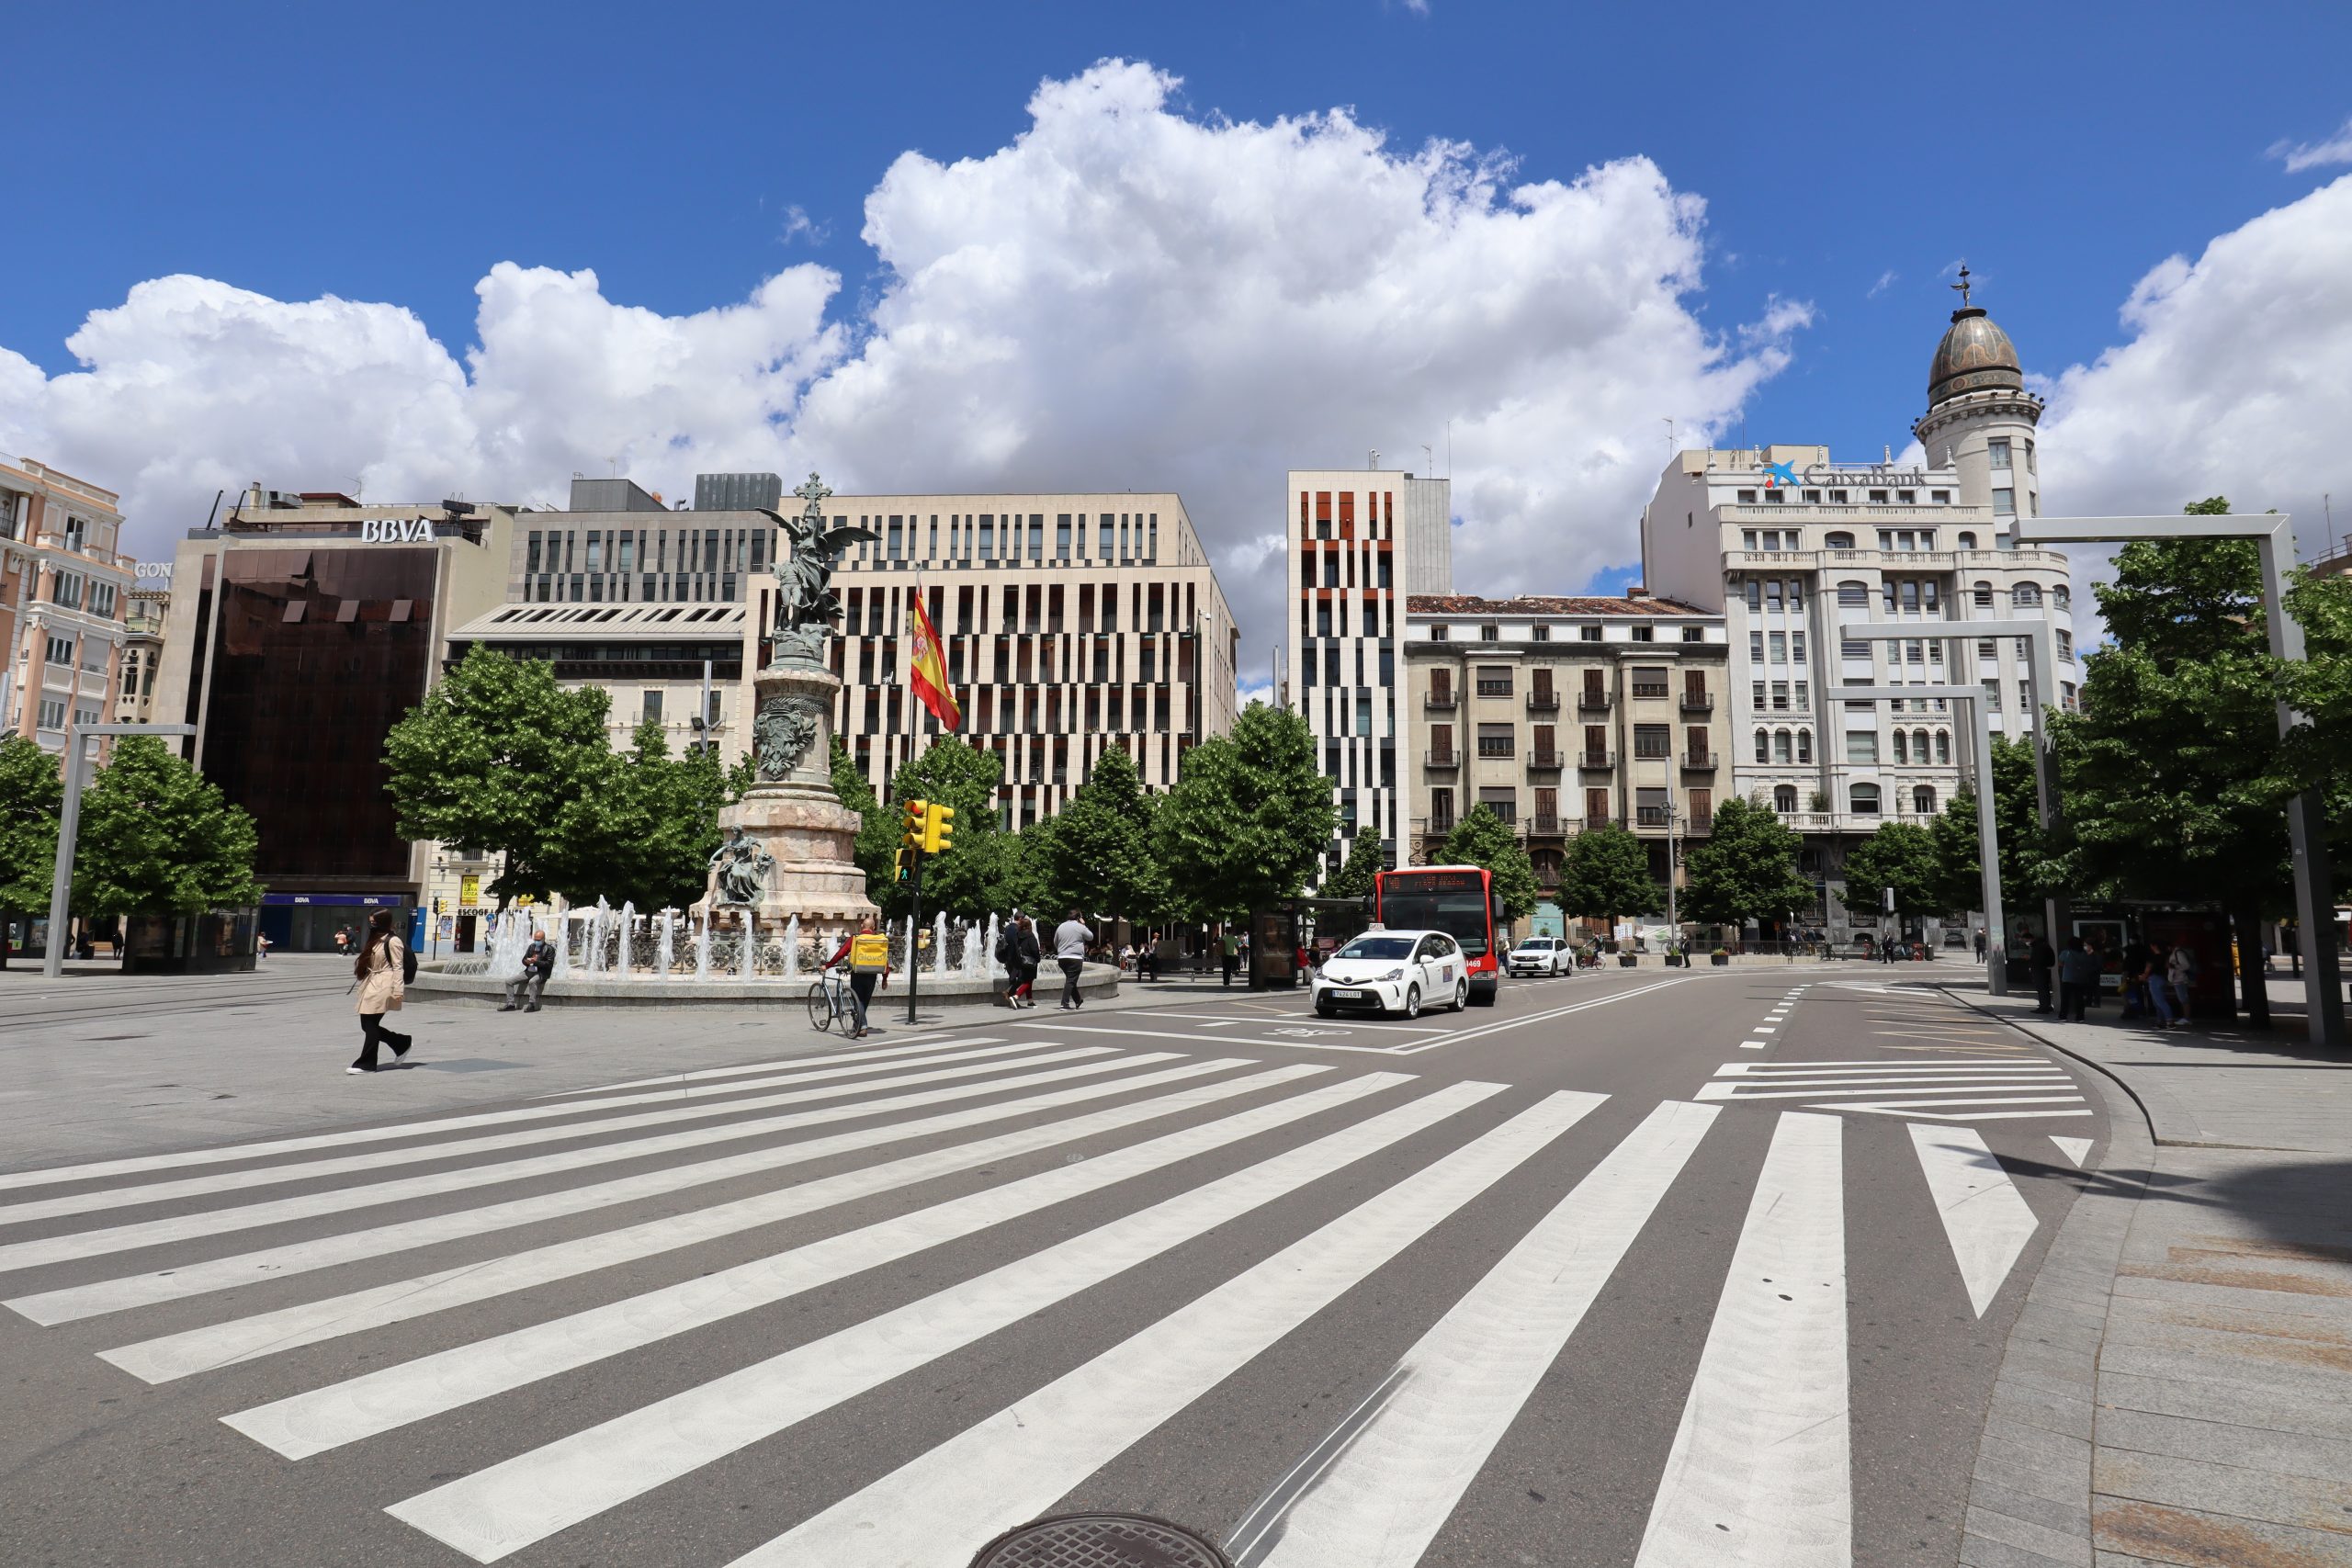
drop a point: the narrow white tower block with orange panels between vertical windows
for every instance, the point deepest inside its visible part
(1361, 542)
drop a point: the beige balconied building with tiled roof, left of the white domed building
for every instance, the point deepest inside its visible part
(1561, 716)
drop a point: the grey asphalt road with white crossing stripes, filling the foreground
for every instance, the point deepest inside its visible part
(1633, 1268)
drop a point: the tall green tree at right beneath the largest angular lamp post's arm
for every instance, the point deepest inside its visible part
(2174, 775)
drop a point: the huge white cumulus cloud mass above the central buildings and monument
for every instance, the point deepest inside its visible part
(1125, 295)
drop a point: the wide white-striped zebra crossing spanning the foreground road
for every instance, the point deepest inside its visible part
(615, 1188)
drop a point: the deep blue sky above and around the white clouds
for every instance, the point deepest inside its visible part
(1847, 156)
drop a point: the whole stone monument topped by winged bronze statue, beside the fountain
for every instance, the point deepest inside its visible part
(791, 843)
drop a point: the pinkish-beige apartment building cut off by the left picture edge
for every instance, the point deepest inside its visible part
(65, 589)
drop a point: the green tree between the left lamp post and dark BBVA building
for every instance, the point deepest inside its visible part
(159, 838)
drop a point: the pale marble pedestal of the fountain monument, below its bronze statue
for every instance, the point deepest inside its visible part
(794, 815)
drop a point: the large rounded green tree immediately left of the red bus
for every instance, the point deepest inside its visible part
(1250, 817)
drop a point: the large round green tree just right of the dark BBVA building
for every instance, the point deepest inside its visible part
(495, 756)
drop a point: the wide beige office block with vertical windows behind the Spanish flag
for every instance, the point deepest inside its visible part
(1071, 624)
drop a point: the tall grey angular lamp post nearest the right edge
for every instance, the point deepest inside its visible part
(2306, 815)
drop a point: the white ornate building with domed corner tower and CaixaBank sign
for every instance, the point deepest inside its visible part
(1791, 544)
